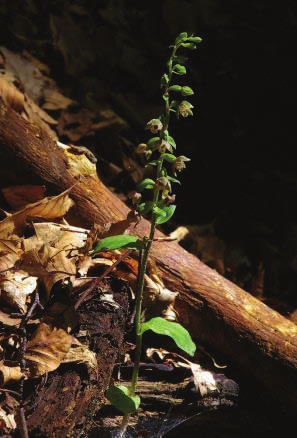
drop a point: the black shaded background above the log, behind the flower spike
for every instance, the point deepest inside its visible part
(242, 137)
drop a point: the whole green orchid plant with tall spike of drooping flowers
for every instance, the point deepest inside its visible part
(159, 154)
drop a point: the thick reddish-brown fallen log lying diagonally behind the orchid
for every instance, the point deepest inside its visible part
(215, 311)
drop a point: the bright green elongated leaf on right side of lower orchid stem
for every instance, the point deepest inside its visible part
(176, 331)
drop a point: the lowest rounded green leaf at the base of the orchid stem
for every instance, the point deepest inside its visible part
(119, 397)
